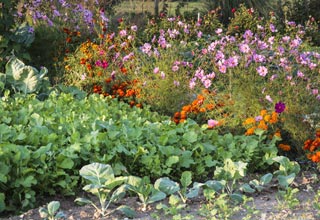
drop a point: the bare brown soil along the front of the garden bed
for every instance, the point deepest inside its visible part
(265, 203)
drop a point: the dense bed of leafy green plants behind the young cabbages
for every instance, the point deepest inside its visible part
(44, 144)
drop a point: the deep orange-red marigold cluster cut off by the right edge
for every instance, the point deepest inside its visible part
(311, 146)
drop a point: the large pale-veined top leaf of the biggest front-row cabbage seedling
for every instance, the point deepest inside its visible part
(97, 173)
